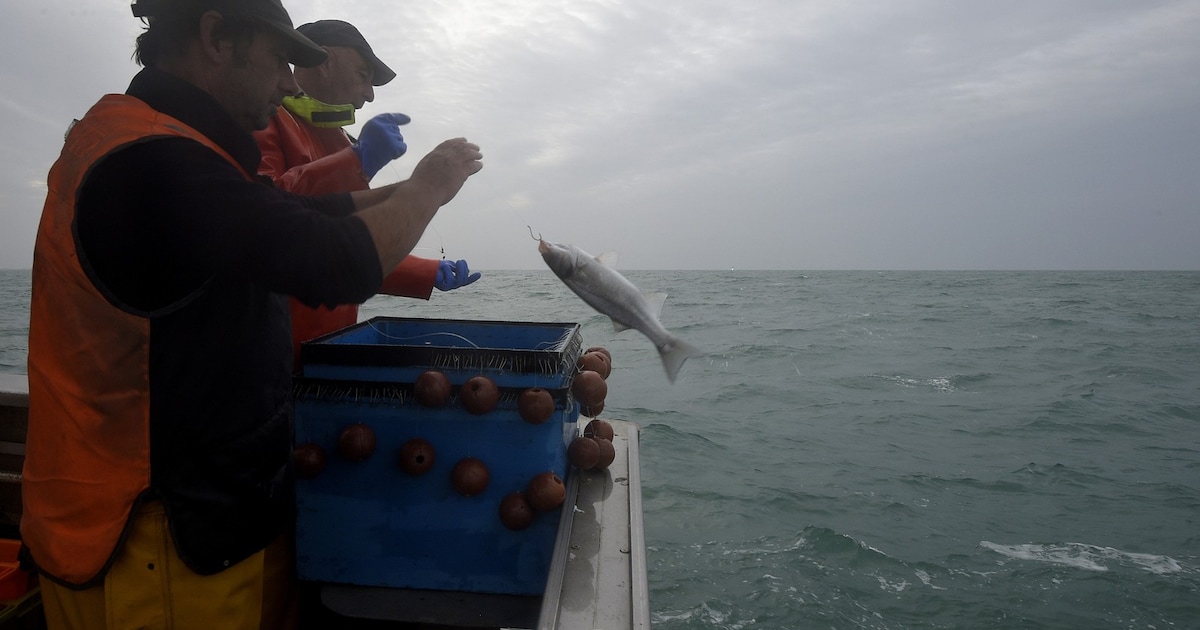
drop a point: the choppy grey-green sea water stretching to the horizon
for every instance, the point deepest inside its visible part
(892, 449)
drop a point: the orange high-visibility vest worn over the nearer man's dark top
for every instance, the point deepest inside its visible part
(88, 448)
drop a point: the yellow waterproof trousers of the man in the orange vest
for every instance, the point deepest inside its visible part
(149, 587)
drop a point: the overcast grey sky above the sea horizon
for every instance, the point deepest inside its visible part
(735, 134)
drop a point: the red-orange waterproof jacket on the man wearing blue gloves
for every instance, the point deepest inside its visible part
(308, 160)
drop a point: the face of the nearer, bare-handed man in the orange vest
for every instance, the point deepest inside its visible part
(257, 80)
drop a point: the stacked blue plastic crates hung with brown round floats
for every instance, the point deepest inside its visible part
(374, 525)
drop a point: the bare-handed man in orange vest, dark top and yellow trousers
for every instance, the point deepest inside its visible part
(158, 485)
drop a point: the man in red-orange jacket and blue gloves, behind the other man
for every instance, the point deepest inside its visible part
(307, 151)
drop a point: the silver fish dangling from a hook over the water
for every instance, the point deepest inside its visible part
(602, 287)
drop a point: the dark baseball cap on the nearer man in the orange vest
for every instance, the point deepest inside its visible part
(302, 51)
